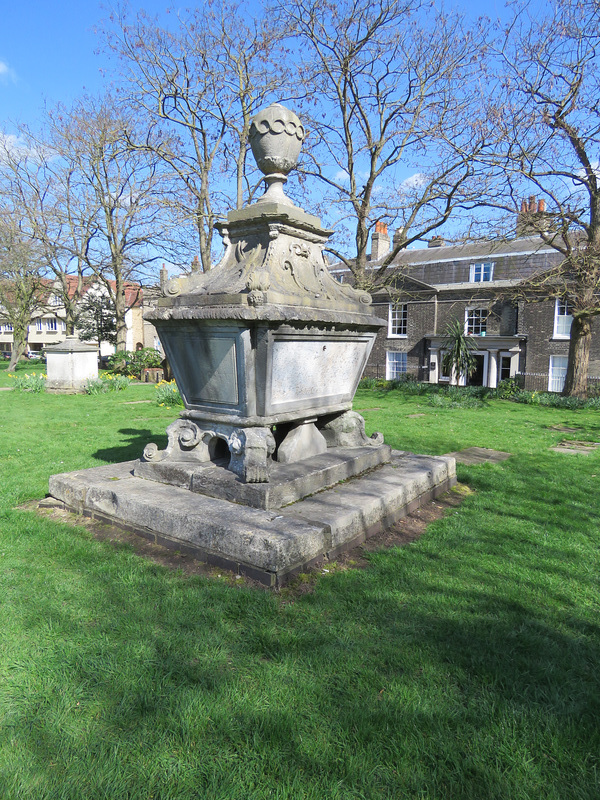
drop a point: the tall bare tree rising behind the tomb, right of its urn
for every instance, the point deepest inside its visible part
(391, 108)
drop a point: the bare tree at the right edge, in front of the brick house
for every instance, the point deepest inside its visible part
(546, 116)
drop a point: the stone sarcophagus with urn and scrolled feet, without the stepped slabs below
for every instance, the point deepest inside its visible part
(267, 348)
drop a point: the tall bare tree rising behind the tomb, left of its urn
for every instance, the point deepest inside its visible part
(205, 78)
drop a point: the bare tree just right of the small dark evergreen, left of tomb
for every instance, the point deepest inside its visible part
(115, 195)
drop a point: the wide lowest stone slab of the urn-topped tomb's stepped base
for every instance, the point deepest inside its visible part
(267, 545)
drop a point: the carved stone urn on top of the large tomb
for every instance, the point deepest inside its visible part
(276, 136)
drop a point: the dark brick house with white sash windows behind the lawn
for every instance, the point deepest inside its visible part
(474, 283)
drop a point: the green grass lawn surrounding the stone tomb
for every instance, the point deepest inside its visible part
(465, 665)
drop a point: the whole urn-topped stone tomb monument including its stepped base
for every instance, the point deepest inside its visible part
(267, 350)
